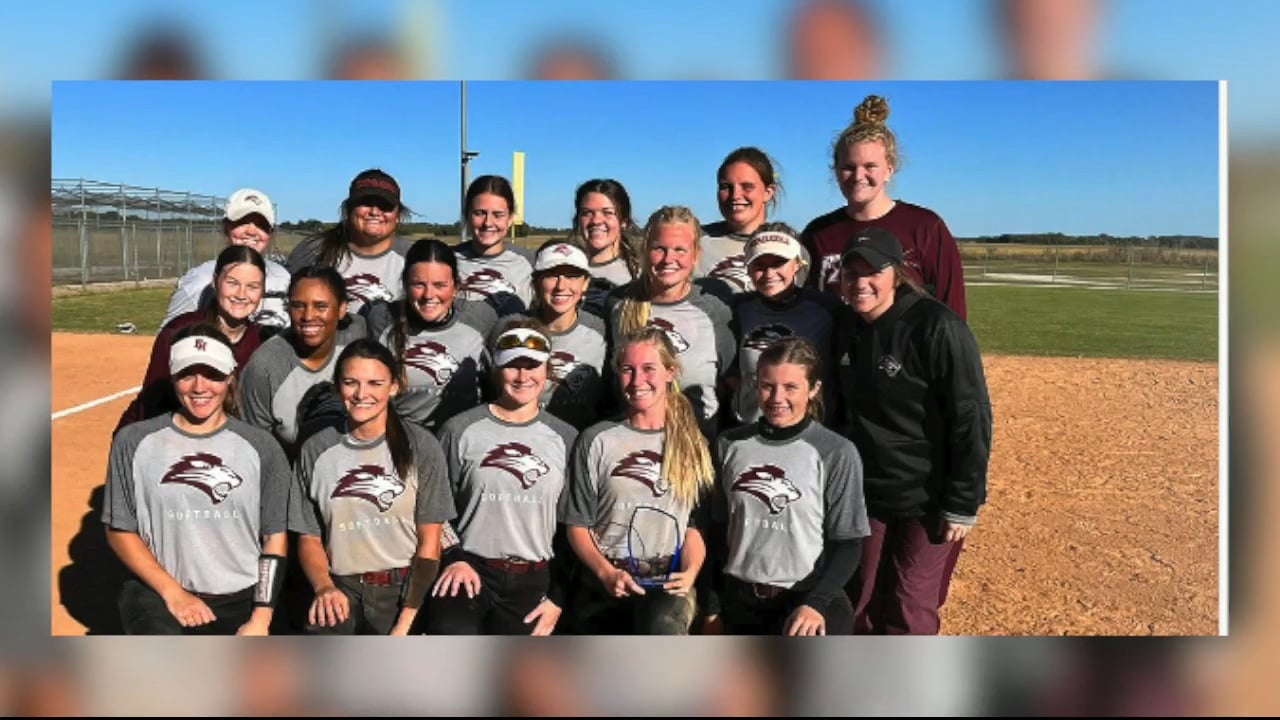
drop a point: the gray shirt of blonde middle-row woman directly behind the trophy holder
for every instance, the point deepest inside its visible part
(700, 329)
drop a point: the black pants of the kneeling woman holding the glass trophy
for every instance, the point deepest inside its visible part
(656, 613)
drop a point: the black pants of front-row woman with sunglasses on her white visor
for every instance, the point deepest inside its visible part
(500, 609)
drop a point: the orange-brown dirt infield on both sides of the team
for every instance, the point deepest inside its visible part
(1103, 514)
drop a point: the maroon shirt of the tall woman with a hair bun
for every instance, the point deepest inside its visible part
(931, 253)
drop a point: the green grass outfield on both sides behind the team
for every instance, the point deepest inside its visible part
(1007, 320)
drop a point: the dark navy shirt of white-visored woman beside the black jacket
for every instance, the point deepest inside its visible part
(760, 323)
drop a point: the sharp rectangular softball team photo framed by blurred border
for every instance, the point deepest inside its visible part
(638, 358)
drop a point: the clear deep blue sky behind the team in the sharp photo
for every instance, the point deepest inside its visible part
(1118, 158)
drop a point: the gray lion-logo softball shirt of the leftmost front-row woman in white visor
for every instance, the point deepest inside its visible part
(202, 504)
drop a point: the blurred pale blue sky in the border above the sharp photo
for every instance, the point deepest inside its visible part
(655, 40)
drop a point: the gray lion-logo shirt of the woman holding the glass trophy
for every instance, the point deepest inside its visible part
(616, 490)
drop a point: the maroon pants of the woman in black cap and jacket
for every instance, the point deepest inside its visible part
(903, 578)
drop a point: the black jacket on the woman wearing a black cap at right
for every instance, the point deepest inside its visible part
(918, 411)
